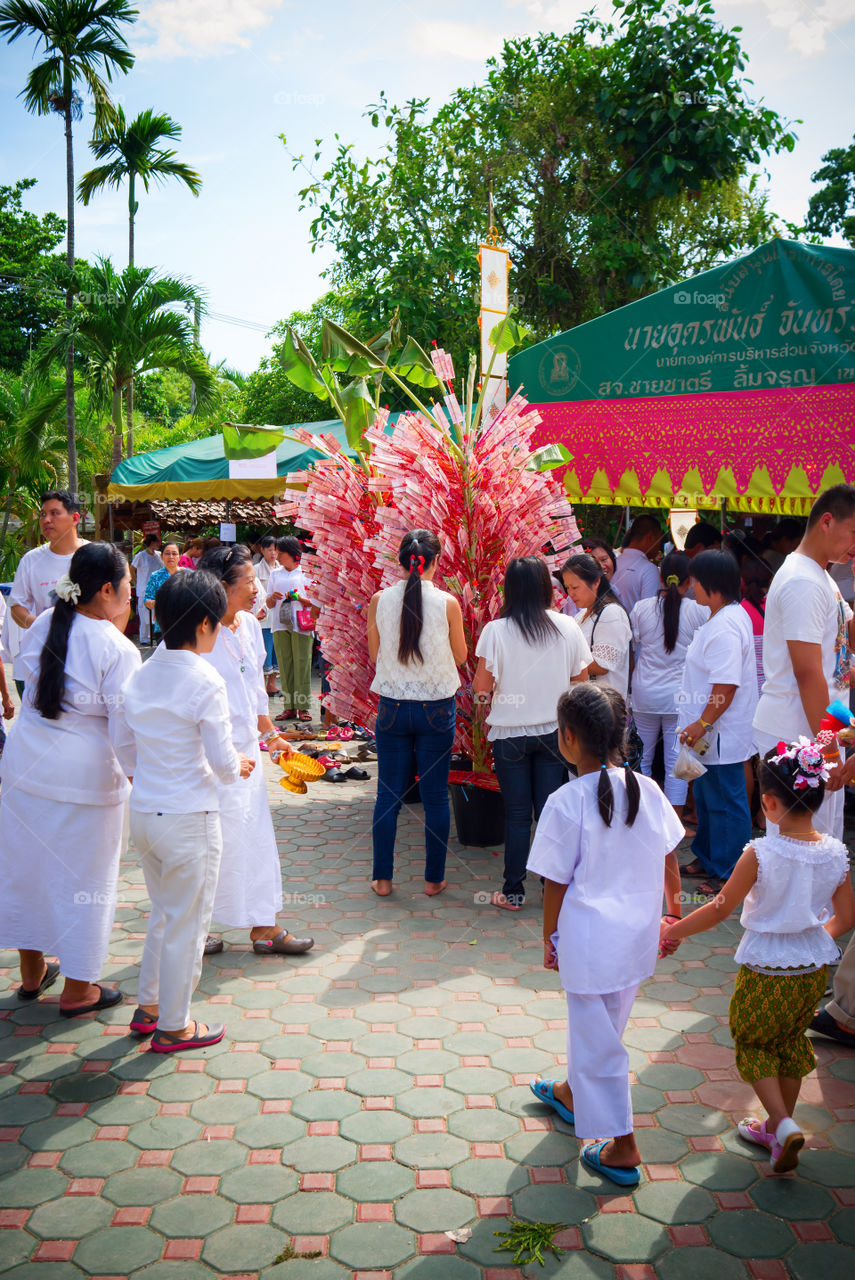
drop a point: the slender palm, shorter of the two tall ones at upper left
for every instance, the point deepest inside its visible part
(132, 153)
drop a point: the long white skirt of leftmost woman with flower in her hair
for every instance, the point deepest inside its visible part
(60, 867)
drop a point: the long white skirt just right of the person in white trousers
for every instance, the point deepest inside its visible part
(249, 892)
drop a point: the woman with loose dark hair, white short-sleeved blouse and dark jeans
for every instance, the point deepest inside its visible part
(527, 660)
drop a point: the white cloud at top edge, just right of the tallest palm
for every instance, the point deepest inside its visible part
(202, 28)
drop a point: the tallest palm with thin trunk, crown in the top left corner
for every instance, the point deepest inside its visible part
(83, 42)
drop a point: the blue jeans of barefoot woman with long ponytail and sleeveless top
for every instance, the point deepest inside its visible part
(429, 730)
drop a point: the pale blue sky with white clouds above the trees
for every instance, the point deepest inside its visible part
(237, 74)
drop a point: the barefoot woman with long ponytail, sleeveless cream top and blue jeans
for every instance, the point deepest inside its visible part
(417, 641)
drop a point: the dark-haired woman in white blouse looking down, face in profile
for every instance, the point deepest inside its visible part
(603, 621)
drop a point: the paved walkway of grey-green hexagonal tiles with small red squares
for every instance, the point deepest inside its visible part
(373, 1096)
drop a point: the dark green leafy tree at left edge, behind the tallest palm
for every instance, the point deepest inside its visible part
(26, 240)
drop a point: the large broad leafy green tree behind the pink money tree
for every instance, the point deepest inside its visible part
(603, 152)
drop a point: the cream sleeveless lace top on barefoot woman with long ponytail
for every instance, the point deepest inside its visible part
(415, 682)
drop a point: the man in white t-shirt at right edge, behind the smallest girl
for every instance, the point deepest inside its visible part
(808, 642)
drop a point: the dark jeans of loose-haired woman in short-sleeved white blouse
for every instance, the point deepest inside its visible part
(529, 771)
